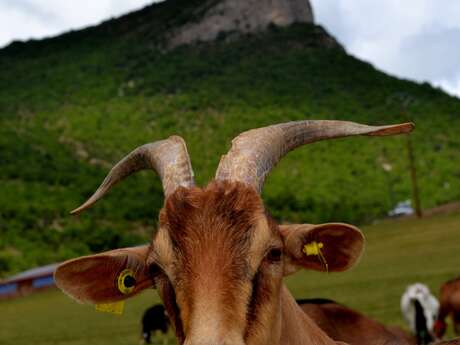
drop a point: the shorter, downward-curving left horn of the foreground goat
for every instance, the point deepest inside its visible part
(169, 158)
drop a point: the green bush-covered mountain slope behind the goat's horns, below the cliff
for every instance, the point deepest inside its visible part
(73, 105)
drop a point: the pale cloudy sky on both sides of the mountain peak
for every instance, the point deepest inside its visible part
(414, 39)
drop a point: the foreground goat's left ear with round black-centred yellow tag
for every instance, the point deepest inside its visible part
(102, 278)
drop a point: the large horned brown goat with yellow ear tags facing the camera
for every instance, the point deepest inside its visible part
(218, 258)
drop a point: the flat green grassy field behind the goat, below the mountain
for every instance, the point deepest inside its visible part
(398, 252)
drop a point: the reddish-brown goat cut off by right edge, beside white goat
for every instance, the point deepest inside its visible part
(449, 298)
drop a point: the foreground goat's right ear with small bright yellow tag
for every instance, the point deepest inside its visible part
(333, 247)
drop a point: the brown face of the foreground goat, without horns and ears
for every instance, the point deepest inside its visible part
(217, 263)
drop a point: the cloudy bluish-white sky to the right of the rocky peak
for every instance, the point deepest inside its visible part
(416, 39)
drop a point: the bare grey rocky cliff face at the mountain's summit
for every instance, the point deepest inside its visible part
(240, 16)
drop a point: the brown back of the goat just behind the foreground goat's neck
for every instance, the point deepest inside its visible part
(347, 325)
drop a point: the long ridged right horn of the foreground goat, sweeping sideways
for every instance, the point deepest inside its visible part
(254, 153)
